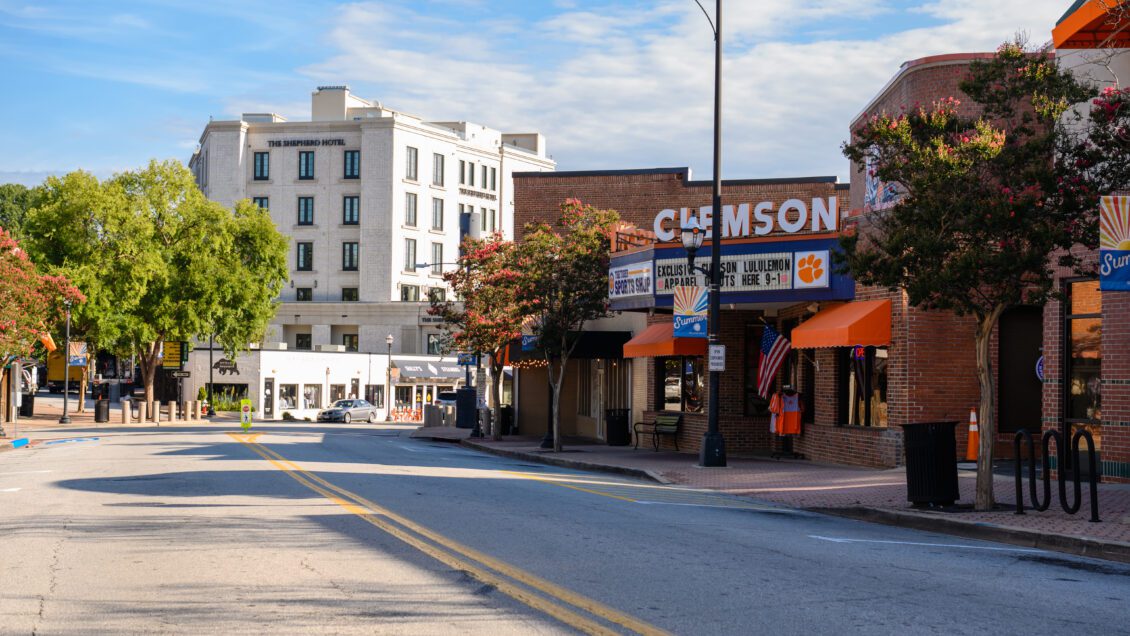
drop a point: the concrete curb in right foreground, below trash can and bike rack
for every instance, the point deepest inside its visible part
(1079, 546)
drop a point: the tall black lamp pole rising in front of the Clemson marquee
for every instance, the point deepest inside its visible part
(714, 449)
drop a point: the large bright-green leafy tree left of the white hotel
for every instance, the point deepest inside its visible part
(161, 263)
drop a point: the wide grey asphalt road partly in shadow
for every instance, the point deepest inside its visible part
(305, 529)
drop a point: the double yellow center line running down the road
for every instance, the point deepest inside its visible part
(521, 586)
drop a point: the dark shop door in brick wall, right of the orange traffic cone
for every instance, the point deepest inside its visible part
(1021, 393)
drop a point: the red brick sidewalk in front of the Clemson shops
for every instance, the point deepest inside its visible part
(866, 494)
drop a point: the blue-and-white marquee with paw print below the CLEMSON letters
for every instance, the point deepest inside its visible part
(793, 271)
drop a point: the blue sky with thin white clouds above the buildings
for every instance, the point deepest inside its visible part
(108, 85)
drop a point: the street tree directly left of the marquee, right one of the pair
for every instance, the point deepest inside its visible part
(564, 285)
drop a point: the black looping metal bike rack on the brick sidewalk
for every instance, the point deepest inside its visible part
(1062, 454)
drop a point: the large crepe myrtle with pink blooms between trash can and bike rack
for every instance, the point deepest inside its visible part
(985, 212)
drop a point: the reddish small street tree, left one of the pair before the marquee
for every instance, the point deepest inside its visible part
(485, 319)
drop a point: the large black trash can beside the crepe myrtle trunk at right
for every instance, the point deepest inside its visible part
(932, 464)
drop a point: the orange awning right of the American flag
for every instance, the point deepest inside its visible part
(863, 323)
